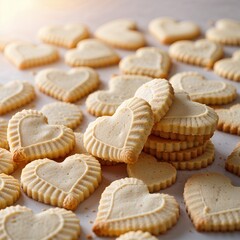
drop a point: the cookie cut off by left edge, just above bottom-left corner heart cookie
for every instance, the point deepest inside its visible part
(9, 191)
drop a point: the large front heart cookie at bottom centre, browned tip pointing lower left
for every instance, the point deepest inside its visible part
(154, 213)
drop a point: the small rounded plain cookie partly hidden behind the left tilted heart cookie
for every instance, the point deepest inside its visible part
(66, 114)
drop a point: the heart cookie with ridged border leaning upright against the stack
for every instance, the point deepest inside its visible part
(116, 138)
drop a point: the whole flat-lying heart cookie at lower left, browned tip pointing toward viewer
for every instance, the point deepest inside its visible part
(63, 184)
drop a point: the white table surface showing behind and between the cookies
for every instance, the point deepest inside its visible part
(22, 19)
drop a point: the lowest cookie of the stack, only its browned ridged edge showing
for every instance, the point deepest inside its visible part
(199, 162)
